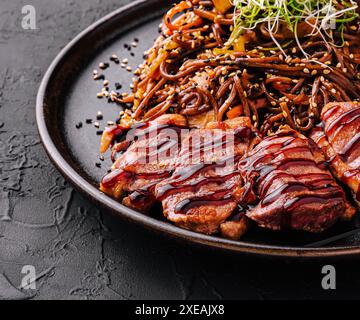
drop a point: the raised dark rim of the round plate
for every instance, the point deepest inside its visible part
(165, 228)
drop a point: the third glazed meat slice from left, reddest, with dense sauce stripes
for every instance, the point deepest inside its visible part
(286, 181)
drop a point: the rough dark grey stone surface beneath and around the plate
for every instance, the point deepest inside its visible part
(80, 252)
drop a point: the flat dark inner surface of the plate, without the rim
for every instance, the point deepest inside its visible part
(76, 101)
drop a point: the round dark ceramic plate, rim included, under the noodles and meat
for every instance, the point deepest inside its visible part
(67, 96)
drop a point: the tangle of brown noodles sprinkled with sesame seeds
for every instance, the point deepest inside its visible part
(190, 71)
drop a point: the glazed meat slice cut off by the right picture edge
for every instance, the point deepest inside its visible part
(339, 137)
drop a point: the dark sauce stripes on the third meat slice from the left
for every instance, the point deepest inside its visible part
(269, 163)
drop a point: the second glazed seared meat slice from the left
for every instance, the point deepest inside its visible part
(198, 196)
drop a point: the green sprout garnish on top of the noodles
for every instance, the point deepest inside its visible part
(322, 16)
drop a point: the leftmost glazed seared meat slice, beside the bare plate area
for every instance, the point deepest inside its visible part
(151, 149)
